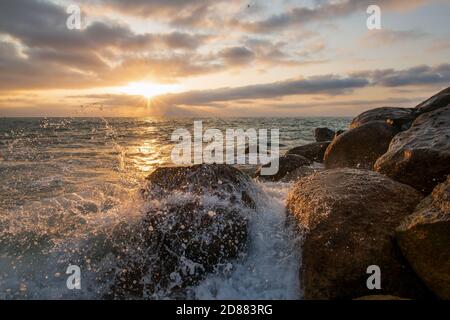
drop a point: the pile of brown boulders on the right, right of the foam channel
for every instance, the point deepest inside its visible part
(382, 199)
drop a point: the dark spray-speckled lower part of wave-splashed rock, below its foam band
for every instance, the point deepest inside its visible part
(176, 246)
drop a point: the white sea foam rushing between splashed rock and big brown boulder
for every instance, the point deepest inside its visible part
(270, 268)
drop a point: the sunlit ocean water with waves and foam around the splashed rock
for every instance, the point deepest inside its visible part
(66, 182)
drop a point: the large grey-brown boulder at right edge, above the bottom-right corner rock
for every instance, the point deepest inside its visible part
(420, 156)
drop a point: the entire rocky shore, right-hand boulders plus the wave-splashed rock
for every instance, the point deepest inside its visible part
(375, 194)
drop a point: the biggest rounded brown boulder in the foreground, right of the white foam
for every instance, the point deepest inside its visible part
(349, 217)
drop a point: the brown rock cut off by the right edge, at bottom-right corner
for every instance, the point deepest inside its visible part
(424, 238)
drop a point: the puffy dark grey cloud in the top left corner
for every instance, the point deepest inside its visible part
(42, 24)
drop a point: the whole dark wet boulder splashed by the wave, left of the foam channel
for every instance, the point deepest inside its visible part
(195, 220)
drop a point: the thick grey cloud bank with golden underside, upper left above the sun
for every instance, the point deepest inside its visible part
(40, 52)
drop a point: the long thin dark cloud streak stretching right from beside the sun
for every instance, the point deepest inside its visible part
(324, 85)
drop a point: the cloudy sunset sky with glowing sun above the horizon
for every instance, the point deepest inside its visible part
(220, 58)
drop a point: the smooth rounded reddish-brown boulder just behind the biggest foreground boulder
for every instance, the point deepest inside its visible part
(359, 147)
